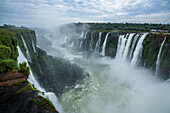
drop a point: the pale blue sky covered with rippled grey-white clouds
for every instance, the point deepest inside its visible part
(42, 13)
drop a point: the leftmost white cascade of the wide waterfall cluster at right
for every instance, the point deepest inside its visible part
(121, 46)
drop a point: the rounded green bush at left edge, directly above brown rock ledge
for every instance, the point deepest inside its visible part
(7, 65)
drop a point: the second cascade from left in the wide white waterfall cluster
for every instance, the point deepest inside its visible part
(128, 45)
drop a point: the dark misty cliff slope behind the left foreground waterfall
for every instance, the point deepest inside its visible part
(54, 74)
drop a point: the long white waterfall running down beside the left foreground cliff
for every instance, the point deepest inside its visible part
(50, 95)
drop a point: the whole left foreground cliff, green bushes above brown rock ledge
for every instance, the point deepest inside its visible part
(17, 95)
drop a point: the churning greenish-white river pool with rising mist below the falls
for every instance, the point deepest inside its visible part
(116, 87)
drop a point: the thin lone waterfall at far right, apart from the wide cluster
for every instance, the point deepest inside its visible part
(158, 57)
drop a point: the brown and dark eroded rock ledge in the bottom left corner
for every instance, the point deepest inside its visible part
(17, 95)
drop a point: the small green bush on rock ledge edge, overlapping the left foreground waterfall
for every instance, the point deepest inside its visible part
(24, 68)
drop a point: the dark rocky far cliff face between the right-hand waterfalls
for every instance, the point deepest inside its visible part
(148, 56)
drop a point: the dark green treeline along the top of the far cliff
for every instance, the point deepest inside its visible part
(146, 27)
